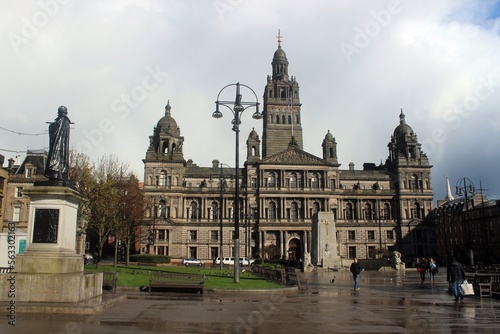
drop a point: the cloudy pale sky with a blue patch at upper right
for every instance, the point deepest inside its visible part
(115, 64)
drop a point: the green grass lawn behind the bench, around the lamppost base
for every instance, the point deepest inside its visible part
(216, 278)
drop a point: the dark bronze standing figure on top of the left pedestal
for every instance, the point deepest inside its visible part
(58, 159)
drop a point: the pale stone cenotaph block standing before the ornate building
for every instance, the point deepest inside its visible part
(324, 252)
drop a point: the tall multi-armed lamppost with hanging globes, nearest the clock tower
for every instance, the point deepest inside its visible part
(237, 109)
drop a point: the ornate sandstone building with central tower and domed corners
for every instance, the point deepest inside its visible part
(378, 209)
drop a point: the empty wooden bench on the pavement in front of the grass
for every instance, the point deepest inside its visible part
(177, 281)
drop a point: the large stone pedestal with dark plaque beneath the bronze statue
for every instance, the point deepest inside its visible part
(50, 270)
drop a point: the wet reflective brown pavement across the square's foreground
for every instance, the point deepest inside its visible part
(388, 302)
